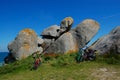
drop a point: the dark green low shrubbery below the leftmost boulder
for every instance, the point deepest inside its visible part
(17, 66)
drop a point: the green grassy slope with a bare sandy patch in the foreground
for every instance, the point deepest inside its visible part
(63, 68)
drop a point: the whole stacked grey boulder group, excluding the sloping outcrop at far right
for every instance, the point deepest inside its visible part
(56, 39)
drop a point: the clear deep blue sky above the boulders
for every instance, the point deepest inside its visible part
(16, 15)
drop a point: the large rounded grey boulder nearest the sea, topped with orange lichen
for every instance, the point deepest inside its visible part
(24, 44)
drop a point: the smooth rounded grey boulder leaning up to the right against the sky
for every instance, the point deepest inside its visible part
(86, 30)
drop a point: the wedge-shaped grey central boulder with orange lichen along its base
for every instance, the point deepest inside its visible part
(64, 44)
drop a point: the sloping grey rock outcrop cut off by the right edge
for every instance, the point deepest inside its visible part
(109, 43)
